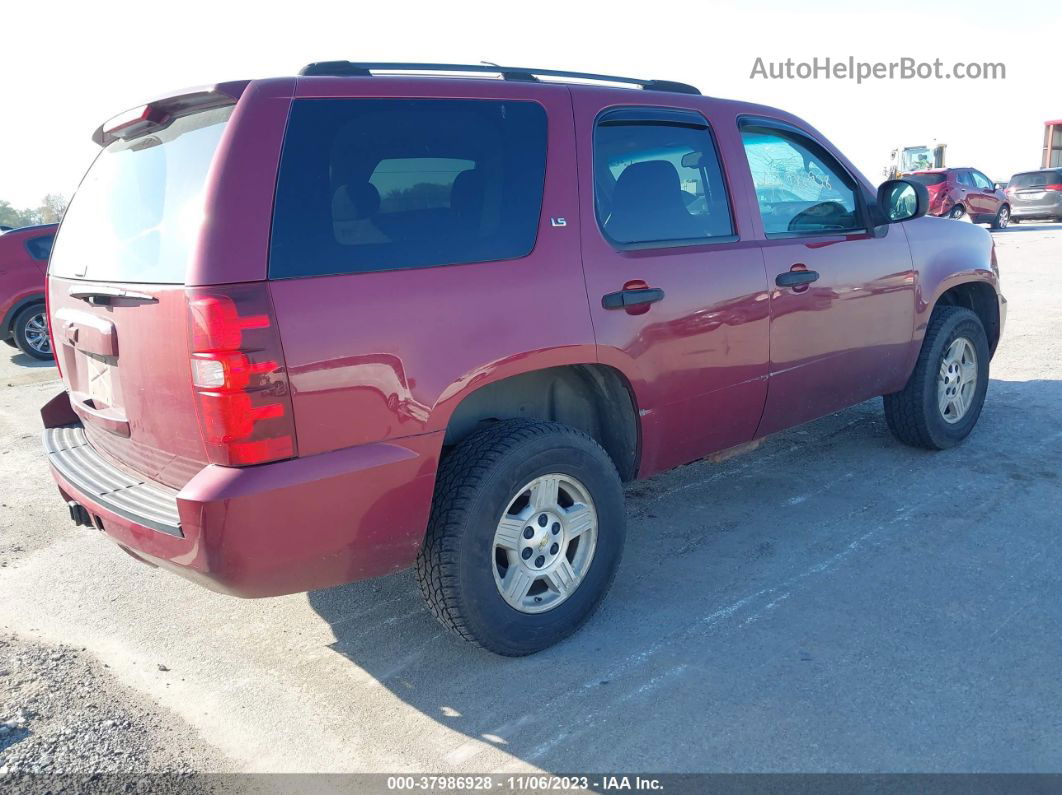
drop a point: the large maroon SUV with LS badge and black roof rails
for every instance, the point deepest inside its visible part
(323, 329)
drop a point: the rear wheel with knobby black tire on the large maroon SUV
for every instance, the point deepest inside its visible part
(479, 488)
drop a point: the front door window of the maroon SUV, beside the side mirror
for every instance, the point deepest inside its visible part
(800, 188)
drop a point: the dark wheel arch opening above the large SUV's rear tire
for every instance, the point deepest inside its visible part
(595, 399)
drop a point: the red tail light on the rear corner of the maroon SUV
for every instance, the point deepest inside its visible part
(239, 375)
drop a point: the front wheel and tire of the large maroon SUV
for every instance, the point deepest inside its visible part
(915, 416)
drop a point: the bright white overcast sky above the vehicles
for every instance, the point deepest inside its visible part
(79, 64)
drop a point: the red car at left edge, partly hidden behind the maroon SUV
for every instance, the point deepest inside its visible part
(24, 262)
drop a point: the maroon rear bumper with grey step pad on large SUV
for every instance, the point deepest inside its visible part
(264, 531)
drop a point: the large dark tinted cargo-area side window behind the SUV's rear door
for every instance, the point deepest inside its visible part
(376, 185)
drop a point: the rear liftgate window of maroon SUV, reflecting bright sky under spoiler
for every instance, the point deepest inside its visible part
(136, 215)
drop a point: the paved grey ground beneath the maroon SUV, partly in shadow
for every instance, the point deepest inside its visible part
(831, 602)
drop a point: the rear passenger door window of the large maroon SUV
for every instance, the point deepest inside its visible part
(659, 183)
